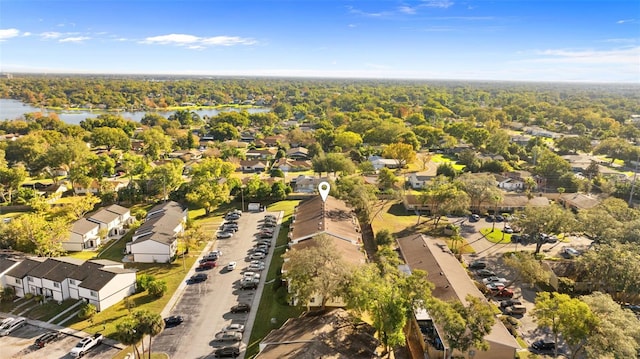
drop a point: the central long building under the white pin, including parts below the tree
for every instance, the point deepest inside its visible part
(334, 220)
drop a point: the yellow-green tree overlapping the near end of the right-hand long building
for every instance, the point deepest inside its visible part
(465, 326)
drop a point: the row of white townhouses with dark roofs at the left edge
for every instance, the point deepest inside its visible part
(99, 282)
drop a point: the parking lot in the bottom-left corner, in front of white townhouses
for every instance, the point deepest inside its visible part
(20, 344)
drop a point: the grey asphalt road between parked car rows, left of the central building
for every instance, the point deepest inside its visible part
(205, 306)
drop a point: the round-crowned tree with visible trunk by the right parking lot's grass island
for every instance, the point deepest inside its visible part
(552, 219)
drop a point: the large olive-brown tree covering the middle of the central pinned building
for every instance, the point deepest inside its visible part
(317, 270)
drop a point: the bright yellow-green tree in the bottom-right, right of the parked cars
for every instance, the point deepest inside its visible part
(566, 316)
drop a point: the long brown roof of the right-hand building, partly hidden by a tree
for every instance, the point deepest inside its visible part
(449, 277)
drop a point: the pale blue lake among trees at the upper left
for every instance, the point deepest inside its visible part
(13, 109)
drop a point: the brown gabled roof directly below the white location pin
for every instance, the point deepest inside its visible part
(333, 217)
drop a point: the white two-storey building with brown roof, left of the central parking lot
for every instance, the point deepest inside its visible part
(156, 240)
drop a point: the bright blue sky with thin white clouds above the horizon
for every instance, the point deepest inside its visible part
(541, 40)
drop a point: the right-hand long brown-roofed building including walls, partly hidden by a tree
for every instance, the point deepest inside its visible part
(452, 283)
